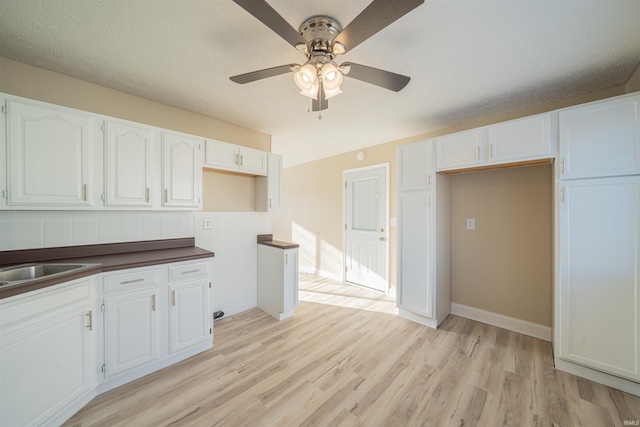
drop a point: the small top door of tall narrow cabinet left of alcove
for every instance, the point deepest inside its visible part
(415, 169)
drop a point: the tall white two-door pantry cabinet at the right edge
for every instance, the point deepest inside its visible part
(597, 297)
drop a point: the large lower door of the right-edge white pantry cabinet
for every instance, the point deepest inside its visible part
(599, 253)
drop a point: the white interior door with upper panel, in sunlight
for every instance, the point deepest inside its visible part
(366, 233)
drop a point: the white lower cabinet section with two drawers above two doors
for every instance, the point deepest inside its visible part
(153, 317)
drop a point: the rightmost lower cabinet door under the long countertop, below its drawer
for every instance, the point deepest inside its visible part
(190, 315)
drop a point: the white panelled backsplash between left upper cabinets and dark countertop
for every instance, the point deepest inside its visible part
(46, 229)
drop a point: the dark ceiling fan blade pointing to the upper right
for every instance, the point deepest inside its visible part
(378, 15)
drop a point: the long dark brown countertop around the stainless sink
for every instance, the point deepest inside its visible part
(109, 257)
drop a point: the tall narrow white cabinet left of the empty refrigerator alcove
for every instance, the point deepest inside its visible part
(423, 236)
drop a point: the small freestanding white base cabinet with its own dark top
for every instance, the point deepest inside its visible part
(277, 280)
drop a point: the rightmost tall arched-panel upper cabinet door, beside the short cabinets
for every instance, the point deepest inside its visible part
(181, 171)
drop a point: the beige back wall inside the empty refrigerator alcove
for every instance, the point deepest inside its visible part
(504, 265)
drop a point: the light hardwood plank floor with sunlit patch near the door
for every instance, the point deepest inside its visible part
(345, 359)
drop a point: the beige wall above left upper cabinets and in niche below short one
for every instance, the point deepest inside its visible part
(27, 81)
